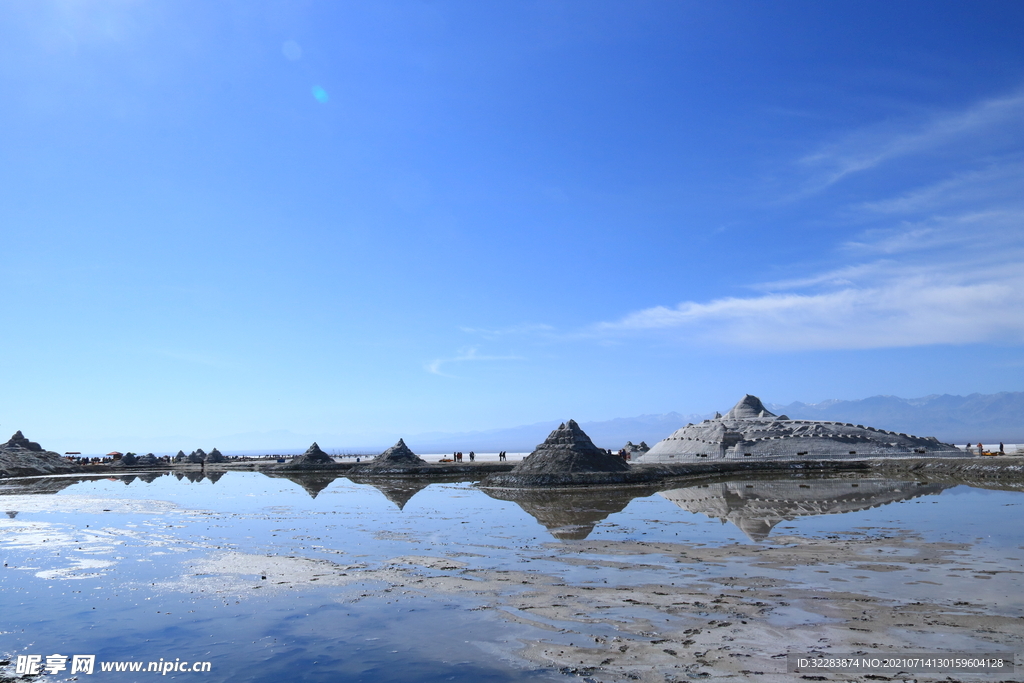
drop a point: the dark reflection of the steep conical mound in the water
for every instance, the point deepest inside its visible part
(570, 516)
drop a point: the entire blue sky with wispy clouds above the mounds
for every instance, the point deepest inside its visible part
(385, 219)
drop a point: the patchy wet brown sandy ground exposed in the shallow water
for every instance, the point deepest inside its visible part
(727, 613)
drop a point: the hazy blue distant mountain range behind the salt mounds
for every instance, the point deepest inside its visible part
(987, 418)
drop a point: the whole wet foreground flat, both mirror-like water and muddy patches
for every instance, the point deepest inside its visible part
(316, 578)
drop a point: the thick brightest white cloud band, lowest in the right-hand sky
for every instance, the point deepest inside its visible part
(913, 310)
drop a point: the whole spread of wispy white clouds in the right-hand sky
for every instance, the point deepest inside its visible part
(947, 267)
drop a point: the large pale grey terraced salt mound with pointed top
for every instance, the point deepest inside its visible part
(750, 434)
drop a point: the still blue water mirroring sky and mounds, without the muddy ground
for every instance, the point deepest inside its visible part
(315, 579)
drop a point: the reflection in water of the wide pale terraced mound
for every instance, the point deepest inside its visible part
(755, 507)
